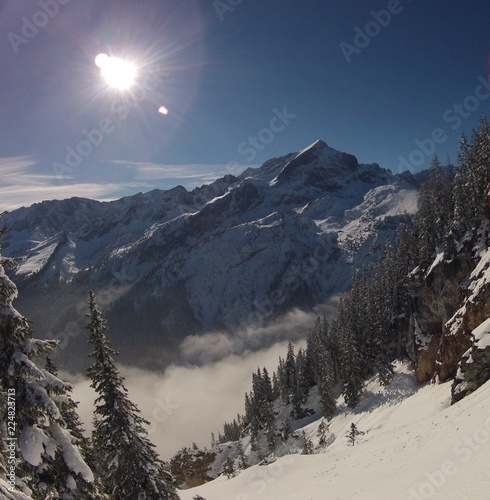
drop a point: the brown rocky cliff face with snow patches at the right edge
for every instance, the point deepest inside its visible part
(450, 302)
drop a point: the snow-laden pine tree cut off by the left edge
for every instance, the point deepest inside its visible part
(49, 461)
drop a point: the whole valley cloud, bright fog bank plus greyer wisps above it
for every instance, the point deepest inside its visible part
(184, 404)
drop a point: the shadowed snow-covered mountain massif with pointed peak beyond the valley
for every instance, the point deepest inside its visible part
(225, 256)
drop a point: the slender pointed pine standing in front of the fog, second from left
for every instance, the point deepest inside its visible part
(128, 463)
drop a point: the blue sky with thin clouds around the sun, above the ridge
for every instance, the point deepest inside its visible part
(243, 81)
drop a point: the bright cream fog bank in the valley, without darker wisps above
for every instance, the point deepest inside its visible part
(185, 404)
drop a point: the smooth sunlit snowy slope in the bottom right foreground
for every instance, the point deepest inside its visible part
(415, 447)
